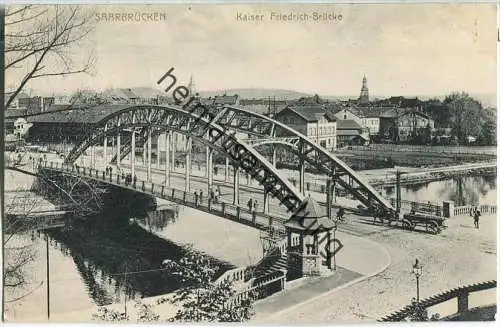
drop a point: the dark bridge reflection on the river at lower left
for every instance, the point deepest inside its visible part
(116, 259)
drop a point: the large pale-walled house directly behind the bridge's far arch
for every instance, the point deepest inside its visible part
(313, 121)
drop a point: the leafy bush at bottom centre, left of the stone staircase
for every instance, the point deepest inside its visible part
(201, 298)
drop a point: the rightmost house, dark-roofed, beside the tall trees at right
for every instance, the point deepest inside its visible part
(406, 125)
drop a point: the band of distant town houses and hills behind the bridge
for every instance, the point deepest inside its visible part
(330, 124)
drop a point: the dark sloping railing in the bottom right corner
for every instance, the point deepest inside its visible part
(461, 293)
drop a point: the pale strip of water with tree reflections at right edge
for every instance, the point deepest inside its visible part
(462, 190)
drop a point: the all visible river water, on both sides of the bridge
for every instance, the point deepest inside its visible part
(103, 259)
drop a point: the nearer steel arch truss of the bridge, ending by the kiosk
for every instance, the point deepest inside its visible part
(153, 120)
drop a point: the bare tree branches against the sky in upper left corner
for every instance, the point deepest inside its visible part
(39, 40)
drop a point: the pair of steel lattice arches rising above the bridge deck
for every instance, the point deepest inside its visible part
(217, 128)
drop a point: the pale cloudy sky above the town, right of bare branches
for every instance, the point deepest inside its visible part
(424, 49)
